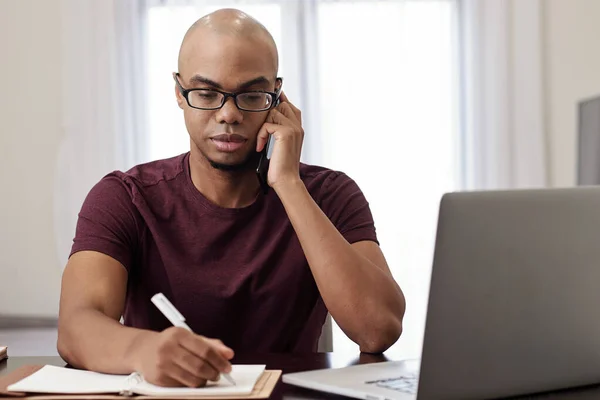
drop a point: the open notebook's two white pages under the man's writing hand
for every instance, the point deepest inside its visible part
(51, 379)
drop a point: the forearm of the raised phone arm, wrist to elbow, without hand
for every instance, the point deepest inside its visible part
(357, 293)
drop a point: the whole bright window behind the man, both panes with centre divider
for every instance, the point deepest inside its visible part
(383, 74)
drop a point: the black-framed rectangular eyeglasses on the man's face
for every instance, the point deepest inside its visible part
(212, 99)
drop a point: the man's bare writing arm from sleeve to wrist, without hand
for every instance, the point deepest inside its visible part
(91, 303)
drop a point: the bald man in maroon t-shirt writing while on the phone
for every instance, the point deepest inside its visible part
(250, 271)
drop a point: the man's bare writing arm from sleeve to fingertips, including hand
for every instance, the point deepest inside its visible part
(91, 337)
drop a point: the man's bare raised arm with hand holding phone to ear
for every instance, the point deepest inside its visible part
(353, 279)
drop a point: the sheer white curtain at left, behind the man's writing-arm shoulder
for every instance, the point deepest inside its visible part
(104, 118)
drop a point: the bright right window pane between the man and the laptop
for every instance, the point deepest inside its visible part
(388, 121)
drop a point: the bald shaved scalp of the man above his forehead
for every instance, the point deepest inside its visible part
(231, 25)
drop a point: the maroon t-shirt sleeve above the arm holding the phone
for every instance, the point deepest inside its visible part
(347, 208)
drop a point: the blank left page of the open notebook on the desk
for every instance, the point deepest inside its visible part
(52, 379)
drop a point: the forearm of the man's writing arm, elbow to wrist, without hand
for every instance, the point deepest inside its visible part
(91, 340)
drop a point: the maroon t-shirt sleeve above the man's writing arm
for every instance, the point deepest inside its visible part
(108, 222)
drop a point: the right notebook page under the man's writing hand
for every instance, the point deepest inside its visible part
(245, 377)
